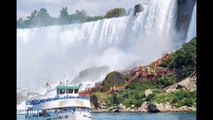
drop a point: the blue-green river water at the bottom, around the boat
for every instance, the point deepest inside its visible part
(140, 116)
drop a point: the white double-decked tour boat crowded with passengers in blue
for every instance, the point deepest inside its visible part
(67, 105)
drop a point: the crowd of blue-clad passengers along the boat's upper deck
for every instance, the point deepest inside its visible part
(38, 101)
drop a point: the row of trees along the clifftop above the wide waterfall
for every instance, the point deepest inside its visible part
(42, 17)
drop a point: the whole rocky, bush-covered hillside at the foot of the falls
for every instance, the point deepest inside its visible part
(168, 91)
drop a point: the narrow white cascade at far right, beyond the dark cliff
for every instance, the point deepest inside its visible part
(193, 25)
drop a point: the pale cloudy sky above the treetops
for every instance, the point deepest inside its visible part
(93, 7)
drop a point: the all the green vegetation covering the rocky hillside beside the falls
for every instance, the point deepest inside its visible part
(183, 60)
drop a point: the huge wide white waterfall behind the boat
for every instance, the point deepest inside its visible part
(57, 53)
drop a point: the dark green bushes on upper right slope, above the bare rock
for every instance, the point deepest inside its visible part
(183, 60)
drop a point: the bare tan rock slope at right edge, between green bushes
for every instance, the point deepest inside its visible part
(187, 84)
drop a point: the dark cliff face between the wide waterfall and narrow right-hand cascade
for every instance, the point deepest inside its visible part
(184, 14)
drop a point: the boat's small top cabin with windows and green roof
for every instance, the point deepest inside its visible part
(67, 90)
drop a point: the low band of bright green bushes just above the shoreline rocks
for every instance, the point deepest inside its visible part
(137, 97)
